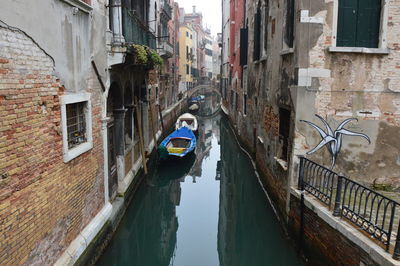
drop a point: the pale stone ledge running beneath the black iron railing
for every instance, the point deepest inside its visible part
(377, 254)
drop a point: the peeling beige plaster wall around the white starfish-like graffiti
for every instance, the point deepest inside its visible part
(346, 85)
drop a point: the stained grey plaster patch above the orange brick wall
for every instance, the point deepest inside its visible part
(61, 31)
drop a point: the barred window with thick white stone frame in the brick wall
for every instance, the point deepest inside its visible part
(76, 125)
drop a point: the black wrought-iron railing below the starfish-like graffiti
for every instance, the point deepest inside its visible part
(374, 213)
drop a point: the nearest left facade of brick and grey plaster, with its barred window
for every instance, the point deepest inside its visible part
(52, 183)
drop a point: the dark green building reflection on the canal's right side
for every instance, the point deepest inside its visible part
(248, 232)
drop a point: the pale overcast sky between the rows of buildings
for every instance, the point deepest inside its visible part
(211, 10)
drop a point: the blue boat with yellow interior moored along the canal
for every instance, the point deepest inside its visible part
(179, 143)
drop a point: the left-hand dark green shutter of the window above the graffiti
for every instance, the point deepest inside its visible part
(347, 23)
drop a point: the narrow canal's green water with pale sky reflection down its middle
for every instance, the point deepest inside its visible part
(206, 210)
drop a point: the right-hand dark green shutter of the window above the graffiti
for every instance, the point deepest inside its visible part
(368, 23)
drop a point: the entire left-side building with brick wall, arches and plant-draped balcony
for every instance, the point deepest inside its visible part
(79, 94)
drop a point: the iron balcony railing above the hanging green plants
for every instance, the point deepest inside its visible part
(135, 31)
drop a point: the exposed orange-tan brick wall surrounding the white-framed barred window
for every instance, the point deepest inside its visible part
(44, 203)
